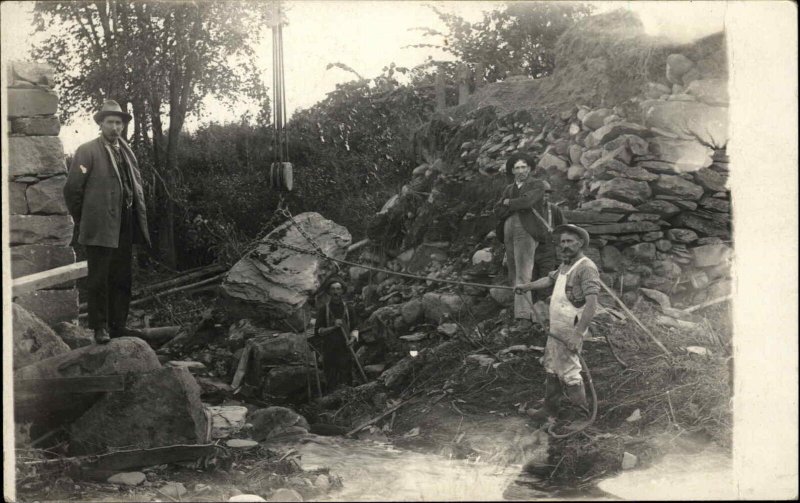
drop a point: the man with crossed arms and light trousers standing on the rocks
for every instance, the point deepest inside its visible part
(520, 229)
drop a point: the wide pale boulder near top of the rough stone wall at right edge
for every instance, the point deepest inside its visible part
(689, 119)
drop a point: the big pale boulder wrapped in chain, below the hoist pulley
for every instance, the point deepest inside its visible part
(274, 283)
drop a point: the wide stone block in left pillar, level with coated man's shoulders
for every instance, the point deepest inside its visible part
(40, 156)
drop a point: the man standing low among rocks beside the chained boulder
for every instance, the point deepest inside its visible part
(335, 324)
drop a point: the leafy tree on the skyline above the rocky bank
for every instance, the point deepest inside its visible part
(517, 38)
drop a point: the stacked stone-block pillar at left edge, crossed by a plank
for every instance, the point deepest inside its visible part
(39, 226)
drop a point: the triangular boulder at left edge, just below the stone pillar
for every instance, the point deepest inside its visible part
(33, 340)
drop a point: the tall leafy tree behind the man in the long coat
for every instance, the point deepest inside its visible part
(159, 60)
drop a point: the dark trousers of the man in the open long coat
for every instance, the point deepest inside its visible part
(110, 279)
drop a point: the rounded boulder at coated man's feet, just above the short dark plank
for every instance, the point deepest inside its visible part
(120, 356)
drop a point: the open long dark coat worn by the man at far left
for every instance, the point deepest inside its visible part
(93, 194)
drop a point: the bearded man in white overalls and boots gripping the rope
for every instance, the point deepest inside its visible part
(576, 284)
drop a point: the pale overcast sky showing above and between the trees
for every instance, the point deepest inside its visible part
(365, 35)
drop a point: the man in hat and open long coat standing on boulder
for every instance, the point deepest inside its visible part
(104, 195)
